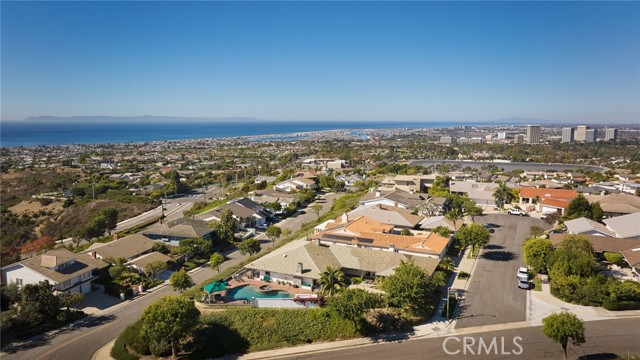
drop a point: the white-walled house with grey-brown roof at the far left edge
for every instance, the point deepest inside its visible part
(68, 272)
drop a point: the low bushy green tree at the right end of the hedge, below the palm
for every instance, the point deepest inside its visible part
(350, 304)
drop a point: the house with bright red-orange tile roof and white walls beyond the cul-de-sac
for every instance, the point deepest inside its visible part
(545, 200)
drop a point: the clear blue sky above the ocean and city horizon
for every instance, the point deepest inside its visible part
(422, 61)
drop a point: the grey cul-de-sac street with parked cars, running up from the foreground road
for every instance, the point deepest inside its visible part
(493, 296)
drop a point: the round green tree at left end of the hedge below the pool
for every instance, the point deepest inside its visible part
(171, 319)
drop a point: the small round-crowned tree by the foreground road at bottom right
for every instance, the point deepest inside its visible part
(564, 327)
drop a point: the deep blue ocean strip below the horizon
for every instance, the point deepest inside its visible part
(16, 133)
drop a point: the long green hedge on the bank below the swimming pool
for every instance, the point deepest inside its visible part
(241, 330)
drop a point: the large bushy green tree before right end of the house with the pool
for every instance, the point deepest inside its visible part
(408, 288)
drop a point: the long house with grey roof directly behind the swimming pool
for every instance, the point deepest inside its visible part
(302, 262)
